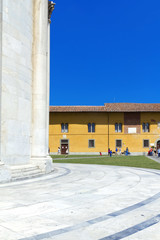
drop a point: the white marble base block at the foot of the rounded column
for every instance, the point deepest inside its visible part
(44, 163)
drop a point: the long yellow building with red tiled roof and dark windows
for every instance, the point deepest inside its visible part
(94, 129)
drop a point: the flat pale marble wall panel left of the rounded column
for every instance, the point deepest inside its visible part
(16, 93)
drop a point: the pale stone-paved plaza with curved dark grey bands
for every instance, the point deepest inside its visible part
(83, 202)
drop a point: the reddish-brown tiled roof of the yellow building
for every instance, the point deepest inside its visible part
(110, 107)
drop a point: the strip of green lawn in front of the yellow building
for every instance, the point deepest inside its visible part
(130, 161)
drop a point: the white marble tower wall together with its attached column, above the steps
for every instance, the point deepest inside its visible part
(23, 86)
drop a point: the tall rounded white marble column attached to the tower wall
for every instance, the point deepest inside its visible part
(40, 108)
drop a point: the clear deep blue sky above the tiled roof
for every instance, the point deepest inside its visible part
(105, 51)
